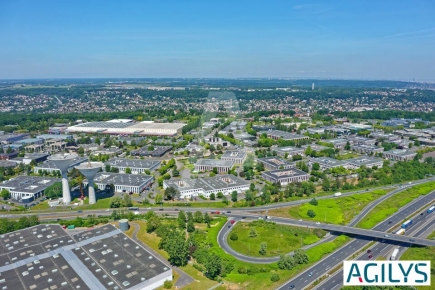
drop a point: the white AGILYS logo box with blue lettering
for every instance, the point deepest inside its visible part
(386, 273)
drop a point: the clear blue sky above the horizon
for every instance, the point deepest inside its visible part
(391, 40)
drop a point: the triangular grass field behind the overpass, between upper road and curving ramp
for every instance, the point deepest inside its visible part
(339, 210)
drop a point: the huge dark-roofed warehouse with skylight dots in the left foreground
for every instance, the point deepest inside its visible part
(48, 257)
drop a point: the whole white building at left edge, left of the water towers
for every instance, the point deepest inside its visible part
(27, 188)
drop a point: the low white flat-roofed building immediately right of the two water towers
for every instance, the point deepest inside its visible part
(123, 182)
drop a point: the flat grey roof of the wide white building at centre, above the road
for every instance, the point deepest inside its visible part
(219, 182)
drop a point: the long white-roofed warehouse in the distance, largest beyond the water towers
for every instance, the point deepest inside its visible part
(129, 128)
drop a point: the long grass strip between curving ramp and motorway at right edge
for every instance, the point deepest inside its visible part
(392, 204)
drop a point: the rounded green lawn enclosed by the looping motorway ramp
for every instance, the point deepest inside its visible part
(279, 238)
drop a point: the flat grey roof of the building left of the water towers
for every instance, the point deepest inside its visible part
(29, 184)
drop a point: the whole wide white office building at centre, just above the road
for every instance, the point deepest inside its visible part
(207, 185)
